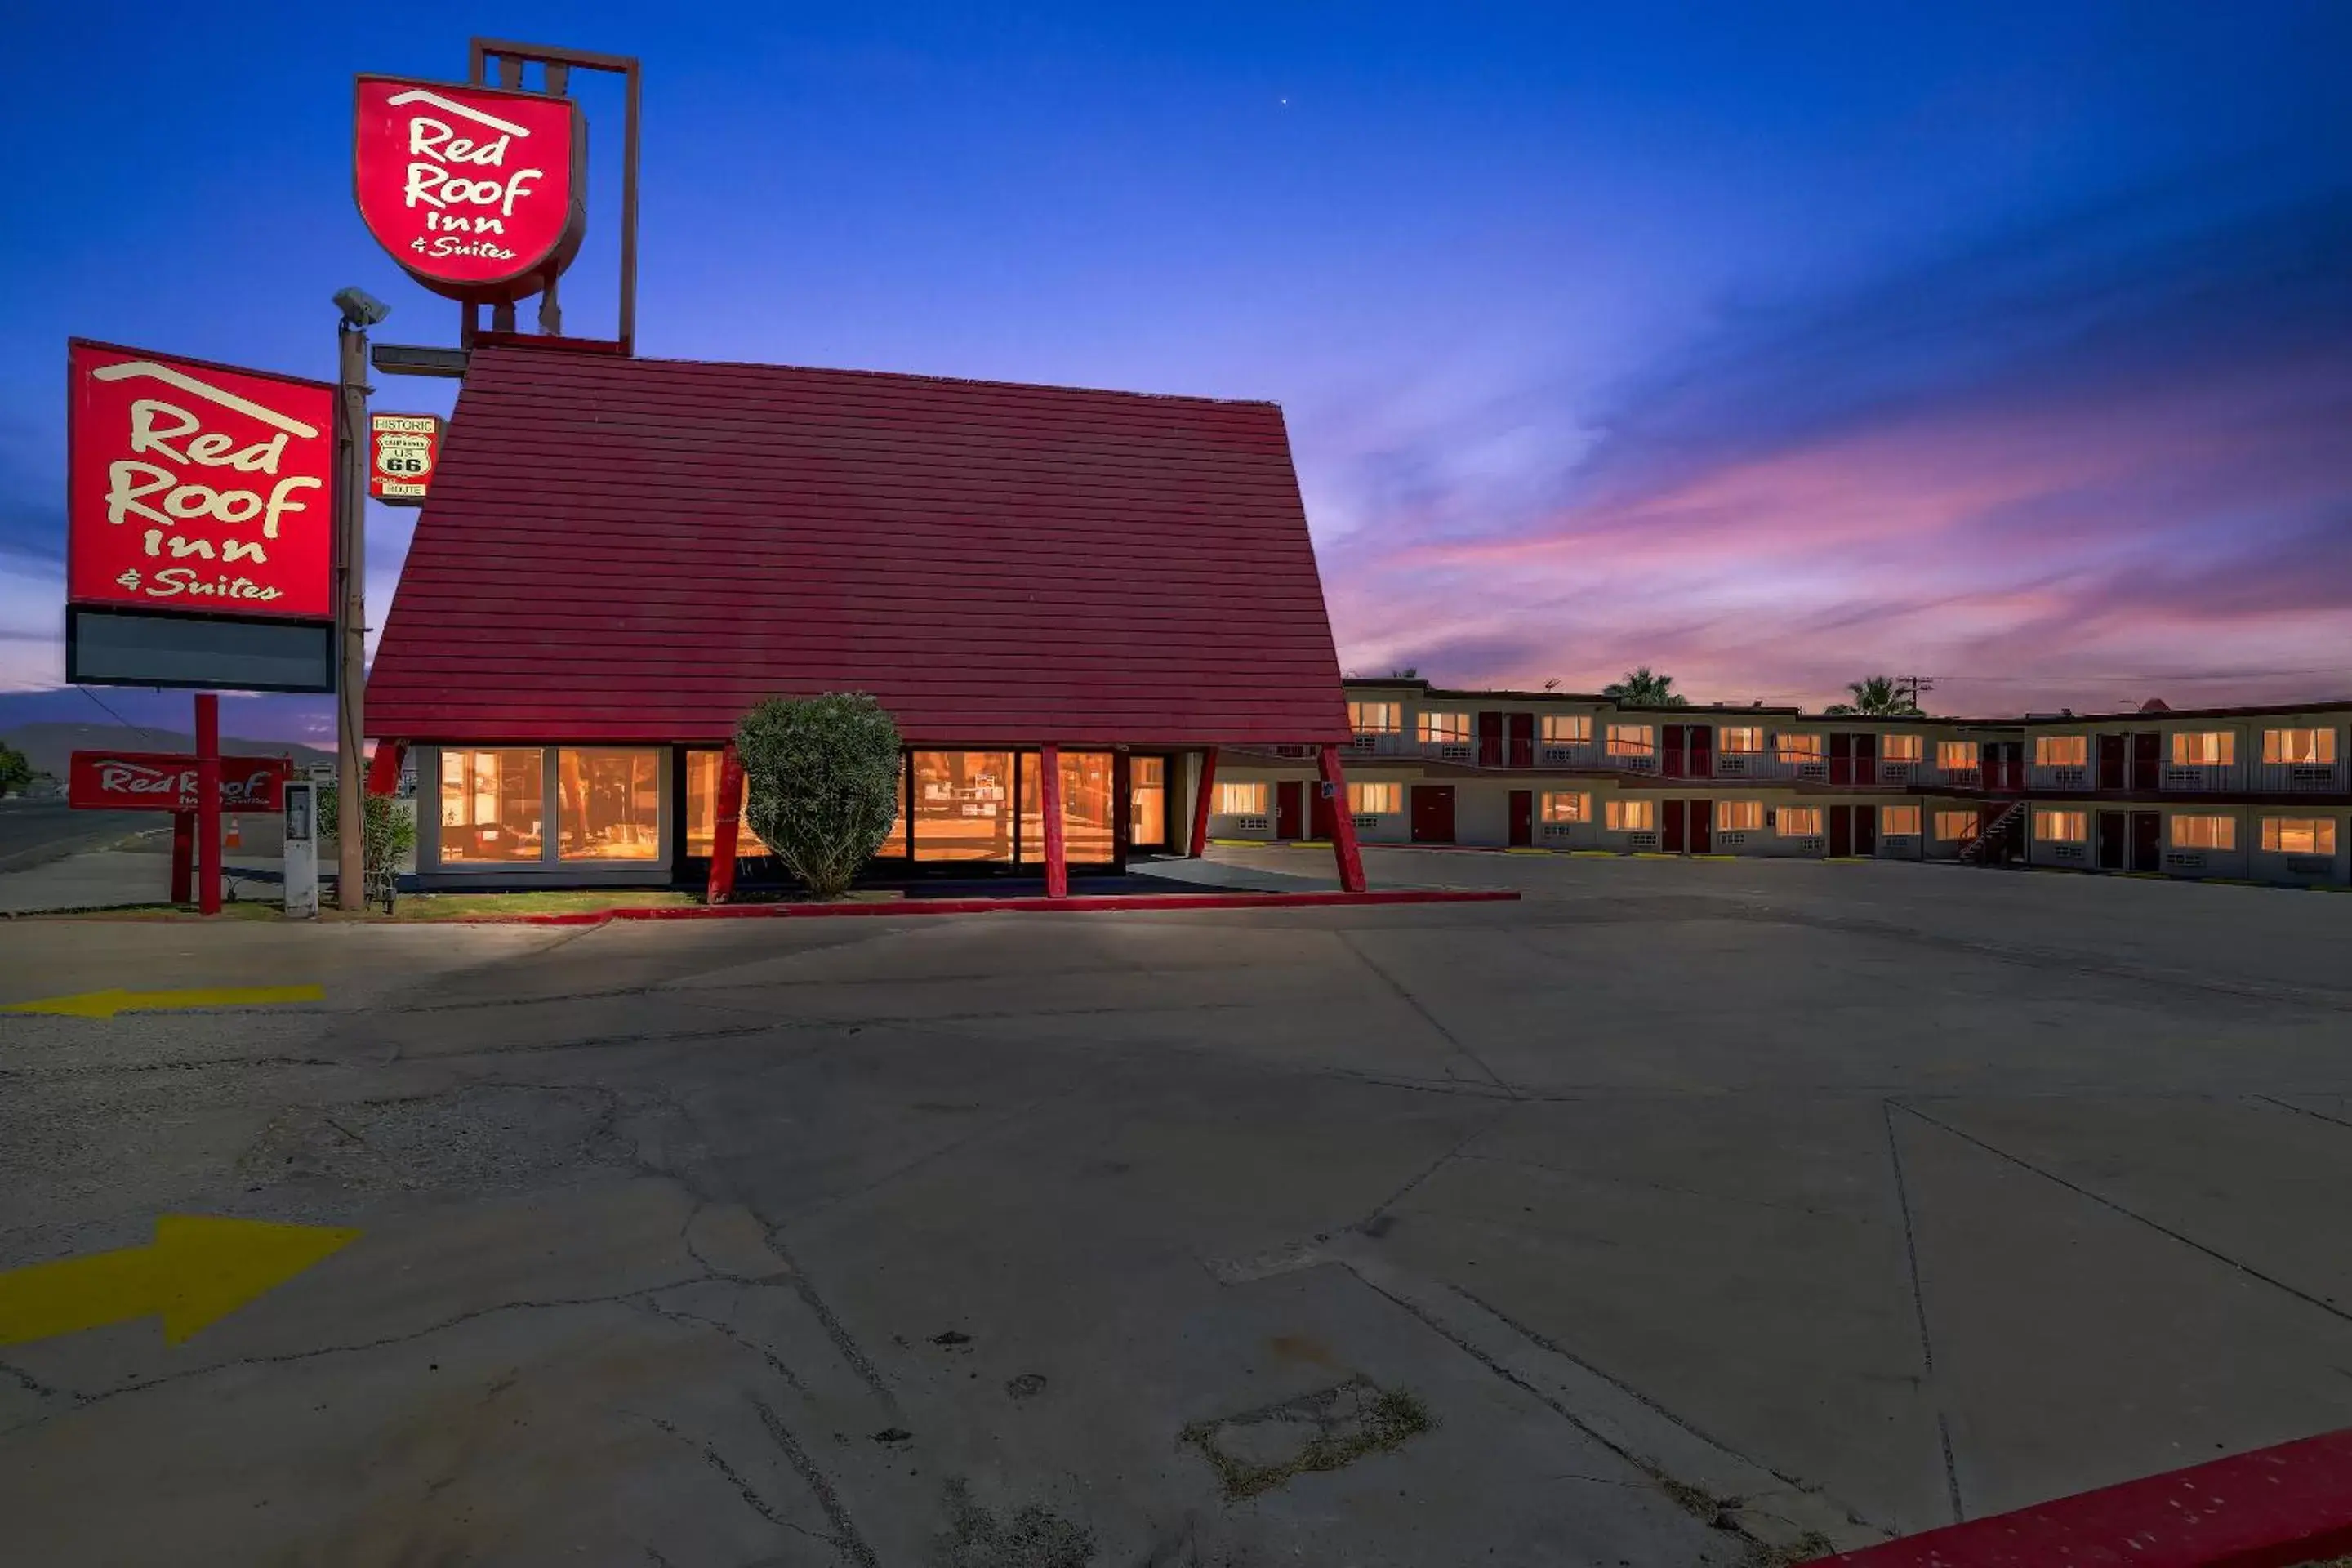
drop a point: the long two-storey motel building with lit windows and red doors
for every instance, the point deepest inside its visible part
(2236, 793)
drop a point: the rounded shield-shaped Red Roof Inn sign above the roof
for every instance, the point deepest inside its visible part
(476, 192)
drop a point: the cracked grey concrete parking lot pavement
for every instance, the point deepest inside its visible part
(1681, 1214)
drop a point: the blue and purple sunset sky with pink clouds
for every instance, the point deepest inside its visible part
(1760, 344)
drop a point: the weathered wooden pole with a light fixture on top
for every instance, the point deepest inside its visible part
(361, 311)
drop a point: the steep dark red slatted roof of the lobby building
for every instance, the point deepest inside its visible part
(643, 549)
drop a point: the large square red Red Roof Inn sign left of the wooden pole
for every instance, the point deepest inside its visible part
(196, 488)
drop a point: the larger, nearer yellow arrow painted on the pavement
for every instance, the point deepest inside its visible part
(196, 1273)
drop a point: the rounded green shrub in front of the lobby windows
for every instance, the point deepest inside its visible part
(820, 784)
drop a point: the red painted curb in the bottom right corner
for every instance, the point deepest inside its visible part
(2271, 1508)
